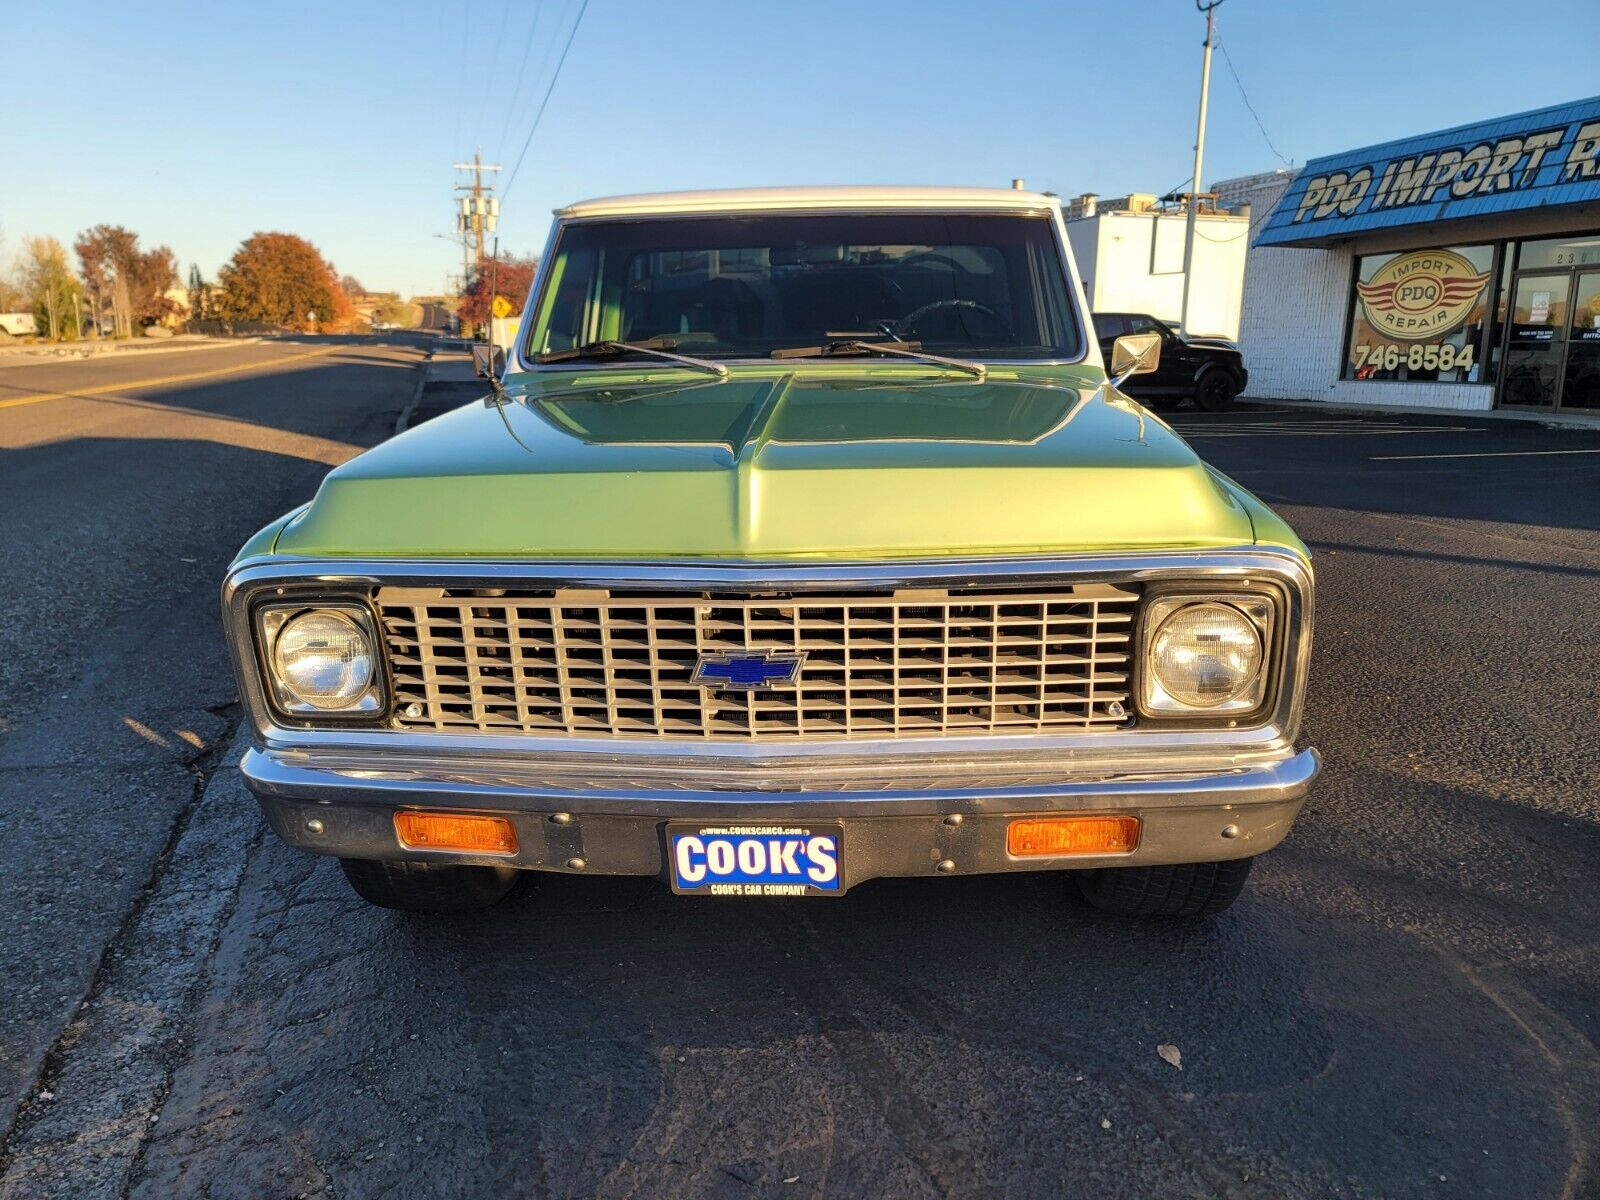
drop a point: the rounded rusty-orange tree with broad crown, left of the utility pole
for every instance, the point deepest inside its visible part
(279, 279)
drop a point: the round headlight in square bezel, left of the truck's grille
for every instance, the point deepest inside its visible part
(321, 660)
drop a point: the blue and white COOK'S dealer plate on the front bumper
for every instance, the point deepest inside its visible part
(758, 860)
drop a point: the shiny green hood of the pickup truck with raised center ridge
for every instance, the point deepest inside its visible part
(833, 462)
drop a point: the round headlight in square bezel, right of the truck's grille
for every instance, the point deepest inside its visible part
(1206, 657)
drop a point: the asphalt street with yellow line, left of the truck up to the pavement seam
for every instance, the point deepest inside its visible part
(121, 506)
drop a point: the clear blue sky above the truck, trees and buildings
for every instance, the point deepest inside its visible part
(198, 126)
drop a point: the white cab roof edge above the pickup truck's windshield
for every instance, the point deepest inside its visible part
(791, 199)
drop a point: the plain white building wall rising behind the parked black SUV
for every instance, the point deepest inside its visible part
(1135, 263)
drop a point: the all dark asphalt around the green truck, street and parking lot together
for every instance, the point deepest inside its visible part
(1404, 1004)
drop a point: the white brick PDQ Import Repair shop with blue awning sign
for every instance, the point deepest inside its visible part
(1457, 270)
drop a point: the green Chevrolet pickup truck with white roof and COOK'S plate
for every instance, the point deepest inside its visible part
(802, 540)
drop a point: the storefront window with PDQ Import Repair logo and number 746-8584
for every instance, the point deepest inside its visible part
(1420, 316)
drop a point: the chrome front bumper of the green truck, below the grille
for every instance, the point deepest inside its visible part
(586, 820)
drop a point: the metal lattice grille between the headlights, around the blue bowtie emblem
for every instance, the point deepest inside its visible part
(878, 665)
